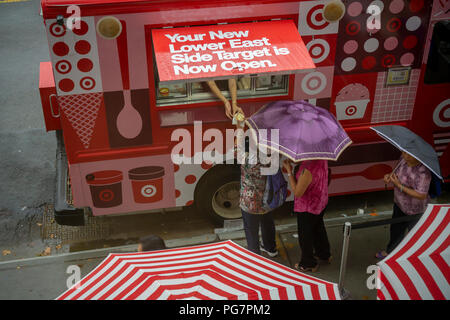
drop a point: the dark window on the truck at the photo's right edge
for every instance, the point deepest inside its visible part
(438, 64)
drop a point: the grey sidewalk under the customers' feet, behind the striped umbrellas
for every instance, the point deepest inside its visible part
(46, 277)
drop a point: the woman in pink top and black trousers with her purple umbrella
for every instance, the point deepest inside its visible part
(310, 135)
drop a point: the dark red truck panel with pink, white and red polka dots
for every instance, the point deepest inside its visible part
(368, 42)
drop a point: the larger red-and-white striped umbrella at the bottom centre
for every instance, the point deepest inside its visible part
(217, 271)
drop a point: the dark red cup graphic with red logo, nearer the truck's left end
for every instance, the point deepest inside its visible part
(106, 188)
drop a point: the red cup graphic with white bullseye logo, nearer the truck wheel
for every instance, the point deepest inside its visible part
(147, 183)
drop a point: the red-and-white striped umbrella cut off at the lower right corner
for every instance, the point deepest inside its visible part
(419, 268)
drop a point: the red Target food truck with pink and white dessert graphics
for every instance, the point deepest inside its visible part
(127, 78)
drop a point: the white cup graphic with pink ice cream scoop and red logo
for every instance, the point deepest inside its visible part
(351, 102)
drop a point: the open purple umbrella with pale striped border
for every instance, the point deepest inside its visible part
(306, 132)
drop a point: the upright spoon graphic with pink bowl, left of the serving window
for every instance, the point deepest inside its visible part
(129, 121)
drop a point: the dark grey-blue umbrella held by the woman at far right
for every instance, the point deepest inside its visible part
(409, 142)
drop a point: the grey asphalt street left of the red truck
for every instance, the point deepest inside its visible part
(27, 151)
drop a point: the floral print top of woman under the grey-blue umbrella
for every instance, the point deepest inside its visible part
(417, 178)
